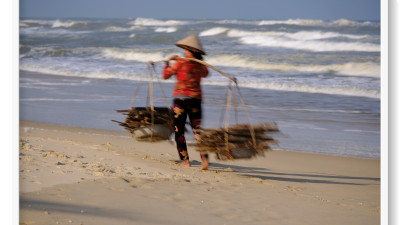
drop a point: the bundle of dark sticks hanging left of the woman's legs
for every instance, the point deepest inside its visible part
(148, 125)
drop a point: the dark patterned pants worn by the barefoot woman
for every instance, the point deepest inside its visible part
(182, 108)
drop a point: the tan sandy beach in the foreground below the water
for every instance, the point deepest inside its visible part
(84, 176)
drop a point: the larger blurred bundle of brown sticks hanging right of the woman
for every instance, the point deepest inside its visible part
(237, 142)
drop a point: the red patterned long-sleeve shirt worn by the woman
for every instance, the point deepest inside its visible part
(188, 75)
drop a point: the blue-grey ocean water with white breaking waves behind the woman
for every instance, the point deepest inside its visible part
(318, 80)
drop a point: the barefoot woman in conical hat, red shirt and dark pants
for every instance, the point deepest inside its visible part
(187, 94)
